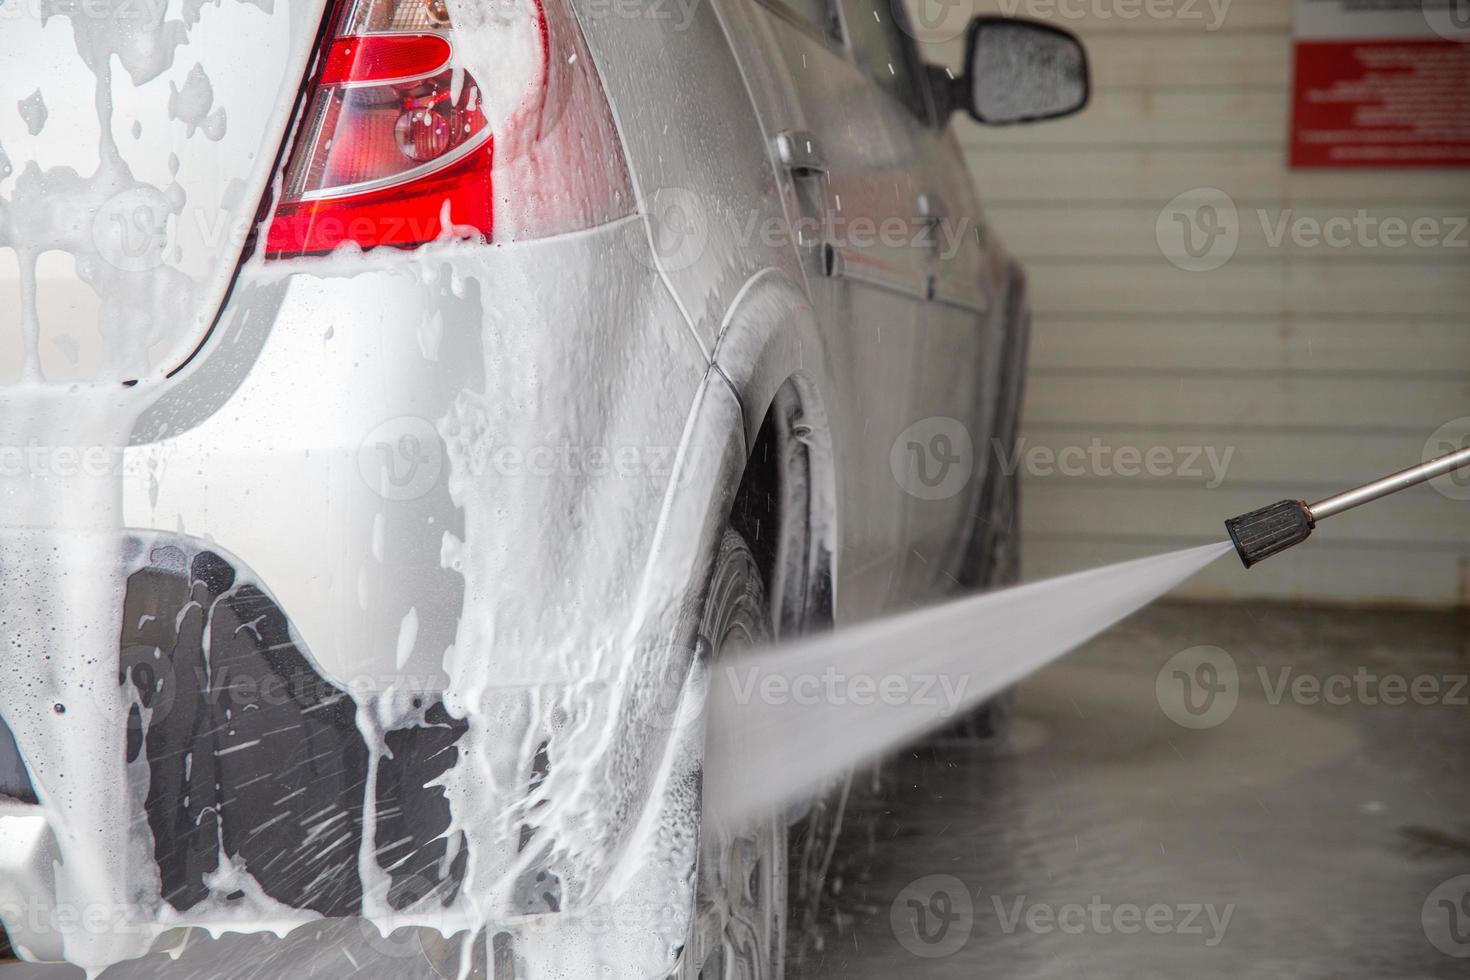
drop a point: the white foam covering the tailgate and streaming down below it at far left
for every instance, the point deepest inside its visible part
(62, 518)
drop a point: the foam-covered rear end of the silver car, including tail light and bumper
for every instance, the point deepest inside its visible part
(336, 336)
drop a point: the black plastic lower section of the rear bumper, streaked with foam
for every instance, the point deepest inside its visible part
(242, 749)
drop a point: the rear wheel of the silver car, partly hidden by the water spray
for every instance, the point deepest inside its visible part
(740, 919)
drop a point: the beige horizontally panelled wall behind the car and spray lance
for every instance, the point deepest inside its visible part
(1303, 371)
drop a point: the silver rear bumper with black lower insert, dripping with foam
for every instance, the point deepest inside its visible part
(440, 486)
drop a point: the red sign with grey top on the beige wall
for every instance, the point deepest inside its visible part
(1383, 84)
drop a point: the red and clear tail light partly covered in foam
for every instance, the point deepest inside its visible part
(398, 145)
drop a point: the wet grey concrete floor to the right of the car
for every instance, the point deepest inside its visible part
(1305, 832)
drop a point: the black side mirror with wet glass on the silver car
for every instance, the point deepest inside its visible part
(1019, 71)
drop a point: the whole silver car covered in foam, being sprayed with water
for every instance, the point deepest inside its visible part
(408, 402)
